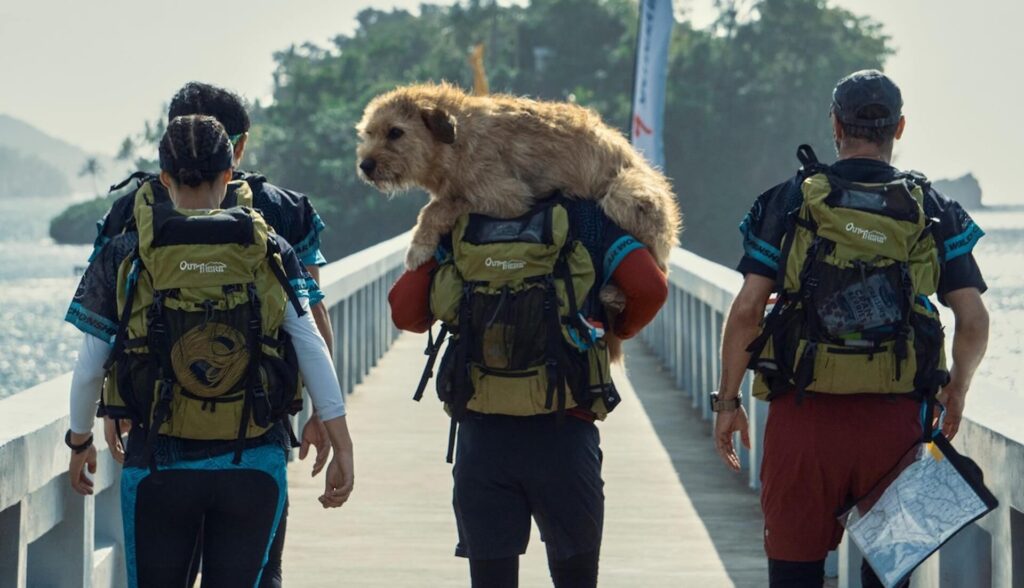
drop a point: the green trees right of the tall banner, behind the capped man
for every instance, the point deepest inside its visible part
(742, 100)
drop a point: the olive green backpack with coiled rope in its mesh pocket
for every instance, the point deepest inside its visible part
(200, 353)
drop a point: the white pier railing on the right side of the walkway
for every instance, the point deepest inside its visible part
(688, 338)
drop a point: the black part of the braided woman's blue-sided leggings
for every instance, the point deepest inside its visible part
(231, 512)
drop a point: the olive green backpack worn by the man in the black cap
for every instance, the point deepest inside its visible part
(860, 263)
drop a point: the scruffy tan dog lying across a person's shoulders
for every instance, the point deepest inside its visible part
(495, 155)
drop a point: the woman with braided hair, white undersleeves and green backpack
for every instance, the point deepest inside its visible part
(207, 451)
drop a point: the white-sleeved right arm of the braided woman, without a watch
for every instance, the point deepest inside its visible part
(322, 382)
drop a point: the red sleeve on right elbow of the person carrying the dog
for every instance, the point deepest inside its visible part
(646, 289)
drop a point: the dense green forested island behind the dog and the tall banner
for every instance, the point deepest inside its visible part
(742, 96)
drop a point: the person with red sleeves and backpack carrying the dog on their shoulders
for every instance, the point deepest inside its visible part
(527, 375)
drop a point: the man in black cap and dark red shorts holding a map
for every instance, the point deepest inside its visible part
(823, 449)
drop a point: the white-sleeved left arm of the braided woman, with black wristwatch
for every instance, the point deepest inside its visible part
(88, 381)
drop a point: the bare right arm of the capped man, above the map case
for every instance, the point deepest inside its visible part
(970, 343)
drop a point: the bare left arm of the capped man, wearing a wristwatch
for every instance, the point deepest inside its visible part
(742, 327)
